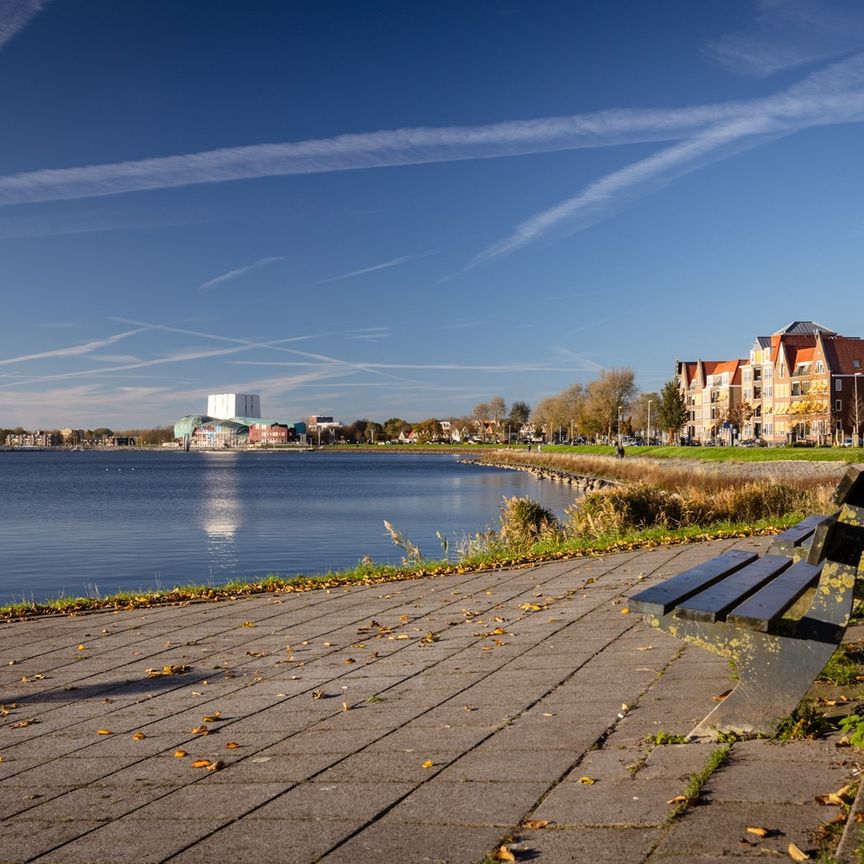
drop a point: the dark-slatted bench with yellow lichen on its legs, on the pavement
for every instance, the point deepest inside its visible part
(778, 618)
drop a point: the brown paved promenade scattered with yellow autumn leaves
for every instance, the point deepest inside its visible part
(419, 721)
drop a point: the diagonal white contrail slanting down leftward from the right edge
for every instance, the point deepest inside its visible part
(832, 95)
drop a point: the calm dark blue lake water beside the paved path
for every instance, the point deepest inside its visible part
(92, 522)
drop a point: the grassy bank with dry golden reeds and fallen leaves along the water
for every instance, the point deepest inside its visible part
(659, 505)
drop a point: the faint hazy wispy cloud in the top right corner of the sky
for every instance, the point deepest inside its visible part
(786, 34)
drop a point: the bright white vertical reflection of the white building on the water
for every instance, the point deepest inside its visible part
(221, 512)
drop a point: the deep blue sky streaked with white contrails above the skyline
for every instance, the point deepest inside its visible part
(375, 209)
